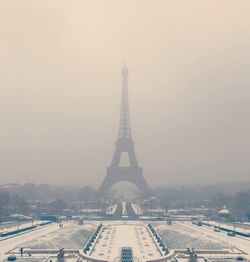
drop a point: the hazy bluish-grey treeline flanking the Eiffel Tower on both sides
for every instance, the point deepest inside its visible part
(35, 199)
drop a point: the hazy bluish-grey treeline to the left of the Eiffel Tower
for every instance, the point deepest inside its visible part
(36, 199)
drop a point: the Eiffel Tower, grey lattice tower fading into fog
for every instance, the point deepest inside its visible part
(124, 144)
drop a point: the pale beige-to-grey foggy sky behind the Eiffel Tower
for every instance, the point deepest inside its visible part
(60, 89)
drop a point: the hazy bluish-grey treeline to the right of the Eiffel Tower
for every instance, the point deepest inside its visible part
(235, 197)
